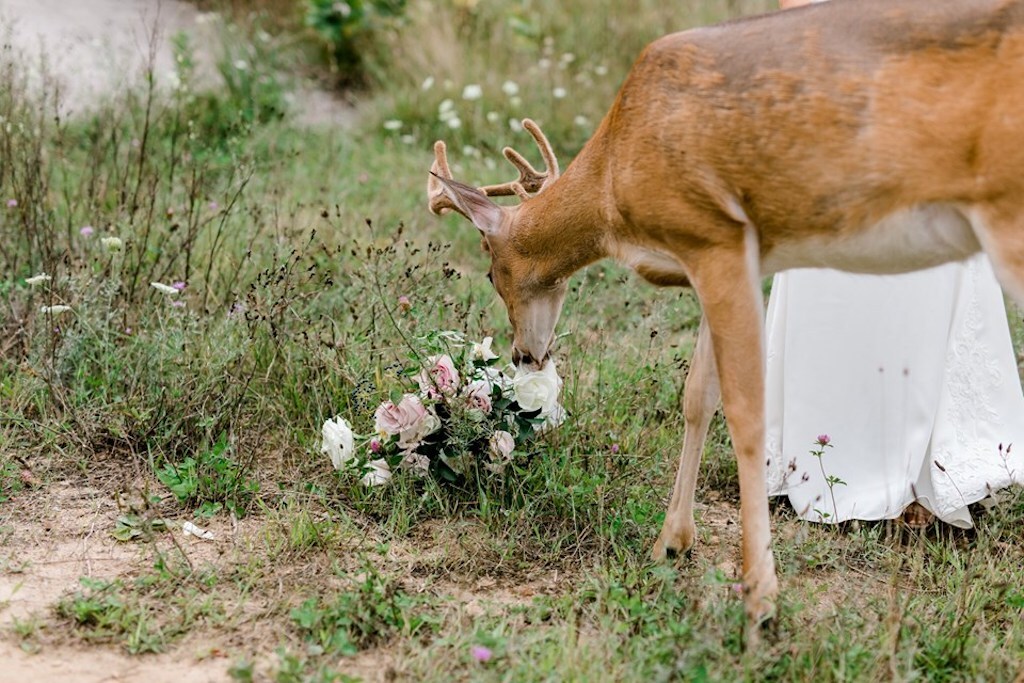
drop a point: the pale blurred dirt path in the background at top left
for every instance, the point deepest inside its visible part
(98, 47)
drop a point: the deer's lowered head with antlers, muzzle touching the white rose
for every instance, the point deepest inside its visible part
(530, 282)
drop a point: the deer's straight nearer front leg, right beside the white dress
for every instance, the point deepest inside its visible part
(727, 282)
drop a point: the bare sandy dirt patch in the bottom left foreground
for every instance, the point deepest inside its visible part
(48, 543)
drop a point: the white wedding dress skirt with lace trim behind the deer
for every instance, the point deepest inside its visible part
(913, 378)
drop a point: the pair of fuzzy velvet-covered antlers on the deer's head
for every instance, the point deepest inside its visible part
(531, 182)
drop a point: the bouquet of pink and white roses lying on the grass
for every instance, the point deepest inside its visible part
(463, 413)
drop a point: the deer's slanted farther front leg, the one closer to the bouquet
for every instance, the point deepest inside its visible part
(700, 401)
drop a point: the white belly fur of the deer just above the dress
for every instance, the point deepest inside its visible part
(918, 238)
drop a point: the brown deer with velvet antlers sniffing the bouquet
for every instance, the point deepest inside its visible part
(875, 137)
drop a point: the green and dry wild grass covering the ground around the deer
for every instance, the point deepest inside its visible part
(294, 247)
